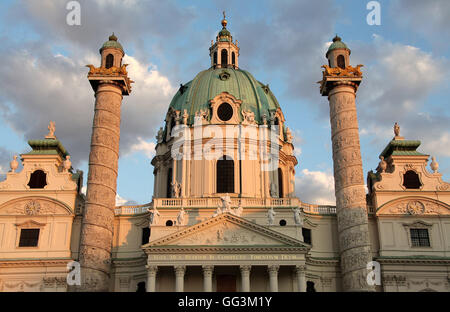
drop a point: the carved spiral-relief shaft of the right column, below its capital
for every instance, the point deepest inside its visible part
(349, 186)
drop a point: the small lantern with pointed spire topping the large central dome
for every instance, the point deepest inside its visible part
(224, 53)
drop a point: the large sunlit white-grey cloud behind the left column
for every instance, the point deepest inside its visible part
(42, 86)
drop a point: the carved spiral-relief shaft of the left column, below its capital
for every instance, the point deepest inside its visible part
(98, 216)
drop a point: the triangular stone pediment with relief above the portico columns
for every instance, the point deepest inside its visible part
(227, 230)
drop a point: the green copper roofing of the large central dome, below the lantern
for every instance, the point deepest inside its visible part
(196, 94)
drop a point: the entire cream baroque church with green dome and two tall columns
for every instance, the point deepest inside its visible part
(224, 215)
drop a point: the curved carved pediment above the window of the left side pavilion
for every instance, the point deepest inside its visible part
(33, 206)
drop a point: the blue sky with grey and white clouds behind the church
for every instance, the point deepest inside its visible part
(283, 43)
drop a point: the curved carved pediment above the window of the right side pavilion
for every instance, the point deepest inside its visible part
(414, 205)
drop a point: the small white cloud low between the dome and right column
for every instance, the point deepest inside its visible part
(315, 187)
